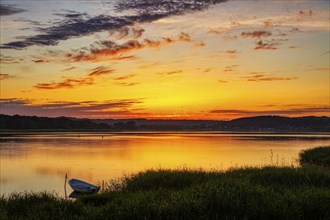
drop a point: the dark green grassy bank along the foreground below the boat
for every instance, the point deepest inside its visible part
(245, 193)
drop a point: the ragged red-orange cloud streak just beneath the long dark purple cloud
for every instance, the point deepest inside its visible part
(109, 50)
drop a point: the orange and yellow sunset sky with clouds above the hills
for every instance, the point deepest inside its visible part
(165, 59)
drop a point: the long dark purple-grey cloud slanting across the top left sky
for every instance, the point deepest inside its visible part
(77, 25)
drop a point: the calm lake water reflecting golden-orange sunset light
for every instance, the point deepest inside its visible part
(40, 162)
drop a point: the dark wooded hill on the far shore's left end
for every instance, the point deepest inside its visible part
(44, 123)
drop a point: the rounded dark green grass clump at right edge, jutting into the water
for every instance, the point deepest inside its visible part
(316, 156)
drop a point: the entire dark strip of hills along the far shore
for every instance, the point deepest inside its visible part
(249, 124)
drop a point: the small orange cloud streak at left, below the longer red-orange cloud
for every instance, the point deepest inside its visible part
(89, 79)
